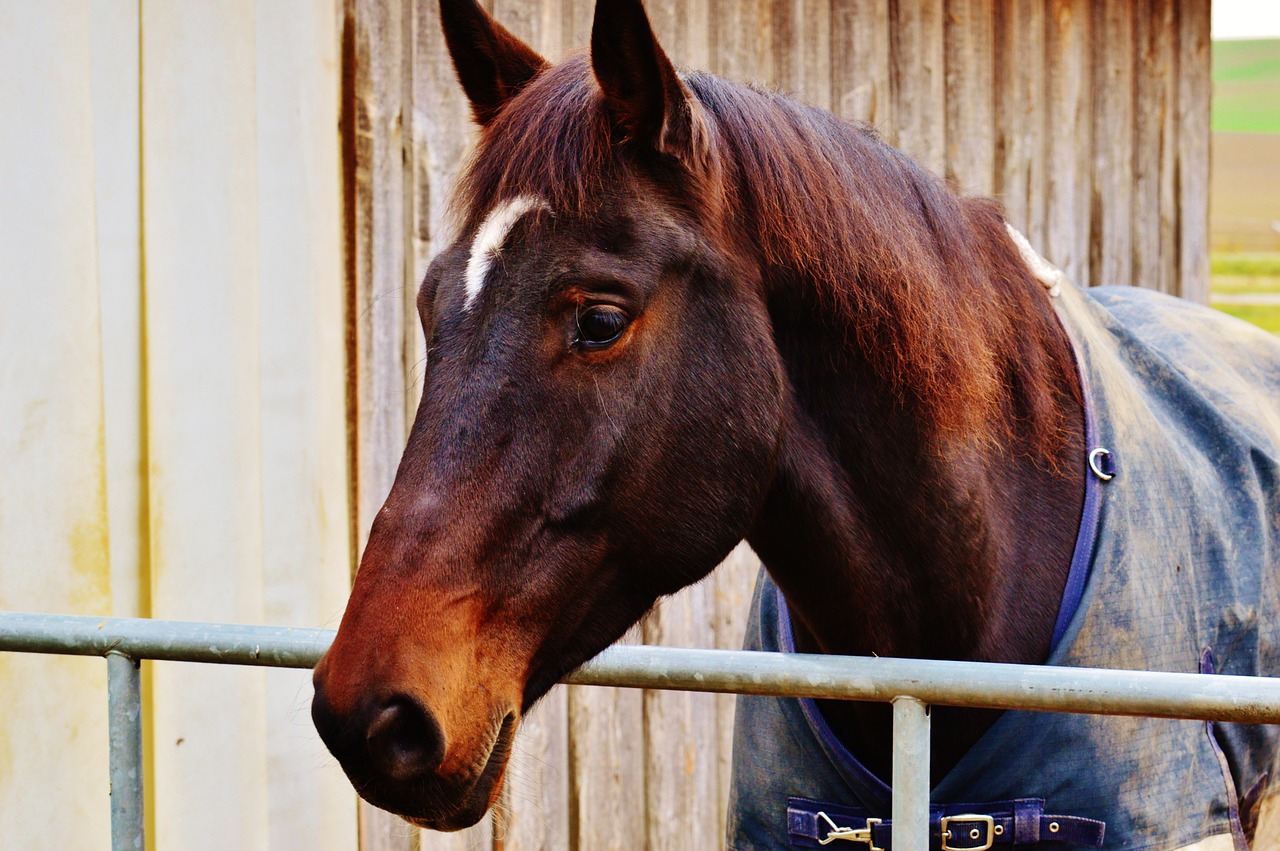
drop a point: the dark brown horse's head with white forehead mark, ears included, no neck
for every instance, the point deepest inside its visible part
(601, 413)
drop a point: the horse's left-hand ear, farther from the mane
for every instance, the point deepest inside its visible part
(492, 65)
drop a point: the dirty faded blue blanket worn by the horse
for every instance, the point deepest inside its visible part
(1177, 569)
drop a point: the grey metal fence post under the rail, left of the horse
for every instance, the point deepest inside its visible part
(125, 711)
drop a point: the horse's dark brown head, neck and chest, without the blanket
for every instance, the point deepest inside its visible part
(683, 313)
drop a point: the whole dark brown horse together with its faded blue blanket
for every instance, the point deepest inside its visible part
(683, 313)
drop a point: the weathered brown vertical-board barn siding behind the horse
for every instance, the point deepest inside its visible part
(1089, 120)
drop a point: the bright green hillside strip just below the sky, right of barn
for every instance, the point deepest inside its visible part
(1247, 86)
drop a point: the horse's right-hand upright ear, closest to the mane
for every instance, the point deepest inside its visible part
(643, 93)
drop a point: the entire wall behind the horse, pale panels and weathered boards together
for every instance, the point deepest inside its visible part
(214, 222)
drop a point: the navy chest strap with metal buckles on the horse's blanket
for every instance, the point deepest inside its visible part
(953, 827)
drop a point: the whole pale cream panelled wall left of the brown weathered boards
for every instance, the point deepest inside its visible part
(172, 401)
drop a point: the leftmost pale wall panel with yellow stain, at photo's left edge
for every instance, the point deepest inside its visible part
(53, 489)
